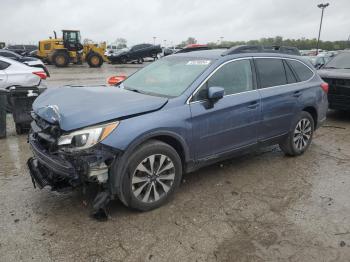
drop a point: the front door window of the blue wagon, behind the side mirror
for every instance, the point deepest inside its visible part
(235, 77)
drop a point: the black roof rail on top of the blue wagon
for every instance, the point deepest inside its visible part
(262, 49)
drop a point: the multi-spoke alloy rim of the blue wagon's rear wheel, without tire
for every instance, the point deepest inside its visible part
(302, 134)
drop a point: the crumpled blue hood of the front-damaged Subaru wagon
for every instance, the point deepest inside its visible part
(74, 107)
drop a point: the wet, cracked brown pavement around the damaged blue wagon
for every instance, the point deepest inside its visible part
(258, 207)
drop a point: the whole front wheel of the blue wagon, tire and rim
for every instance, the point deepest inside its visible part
(154, 172)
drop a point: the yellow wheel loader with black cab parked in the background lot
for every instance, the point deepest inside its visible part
(69, 49)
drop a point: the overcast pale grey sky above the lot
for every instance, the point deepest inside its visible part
(27, 21)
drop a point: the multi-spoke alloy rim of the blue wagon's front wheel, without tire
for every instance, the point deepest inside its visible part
(153, 178)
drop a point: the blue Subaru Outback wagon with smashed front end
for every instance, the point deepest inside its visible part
(173, 116)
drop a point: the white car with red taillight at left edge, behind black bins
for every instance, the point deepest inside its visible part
(13, 73)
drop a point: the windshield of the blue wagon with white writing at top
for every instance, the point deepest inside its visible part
(167, 77)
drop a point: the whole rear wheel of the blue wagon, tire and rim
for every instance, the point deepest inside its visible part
(300, 138)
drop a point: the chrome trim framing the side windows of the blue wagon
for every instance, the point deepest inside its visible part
(245, 58)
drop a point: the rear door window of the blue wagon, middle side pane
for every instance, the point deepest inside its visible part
(271, 72)
